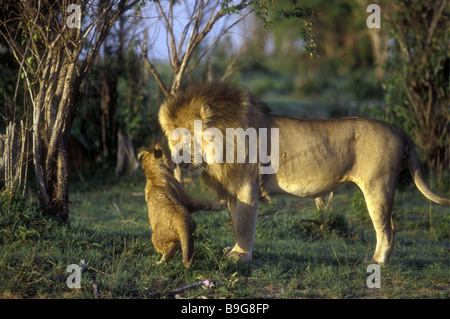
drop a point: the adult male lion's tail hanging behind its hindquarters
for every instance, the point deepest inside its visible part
(419, 180)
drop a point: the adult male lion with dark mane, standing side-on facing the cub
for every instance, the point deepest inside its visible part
(315, 157)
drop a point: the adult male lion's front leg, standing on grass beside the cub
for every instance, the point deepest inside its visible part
(244, 213)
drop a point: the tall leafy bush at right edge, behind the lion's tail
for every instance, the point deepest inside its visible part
(416, 87)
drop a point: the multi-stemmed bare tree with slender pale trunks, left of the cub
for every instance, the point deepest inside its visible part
(49, 63)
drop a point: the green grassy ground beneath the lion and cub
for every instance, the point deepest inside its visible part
(293, 257)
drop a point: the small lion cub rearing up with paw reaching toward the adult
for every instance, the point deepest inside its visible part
(169, 207)
